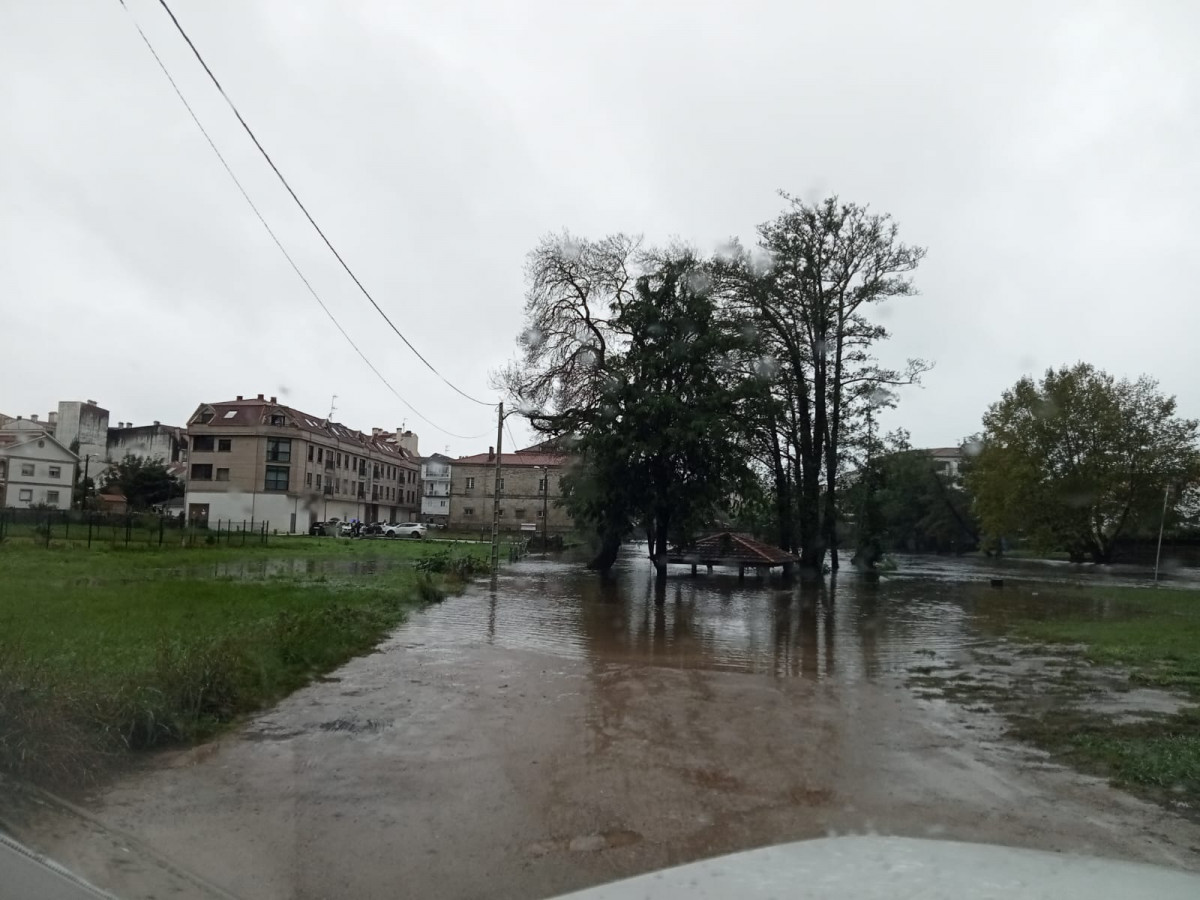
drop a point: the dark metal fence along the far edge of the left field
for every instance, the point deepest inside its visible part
(85, 529)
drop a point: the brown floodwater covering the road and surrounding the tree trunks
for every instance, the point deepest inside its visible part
(557, 730)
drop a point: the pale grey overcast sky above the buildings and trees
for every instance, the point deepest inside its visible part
(1047, 154)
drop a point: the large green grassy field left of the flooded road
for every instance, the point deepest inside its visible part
(110, 651)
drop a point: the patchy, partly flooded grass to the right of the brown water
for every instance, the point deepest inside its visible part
(1111, 641)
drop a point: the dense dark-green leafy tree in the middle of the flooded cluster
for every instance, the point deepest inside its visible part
(662, 445)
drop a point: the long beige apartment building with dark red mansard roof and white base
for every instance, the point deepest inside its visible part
(256, 459)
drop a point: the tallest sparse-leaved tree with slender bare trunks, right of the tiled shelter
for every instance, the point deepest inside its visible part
(827, 263)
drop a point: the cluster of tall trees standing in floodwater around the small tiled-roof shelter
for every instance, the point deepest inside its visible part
(699, 388)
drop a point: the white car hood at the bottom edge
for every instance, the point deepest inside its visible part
(871, 868)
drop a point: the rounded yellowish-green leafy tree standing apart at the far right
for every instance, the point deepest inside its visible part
(1077, 461)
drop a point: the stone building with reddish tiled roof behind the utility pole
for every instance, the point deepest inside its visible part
(530, 488)
